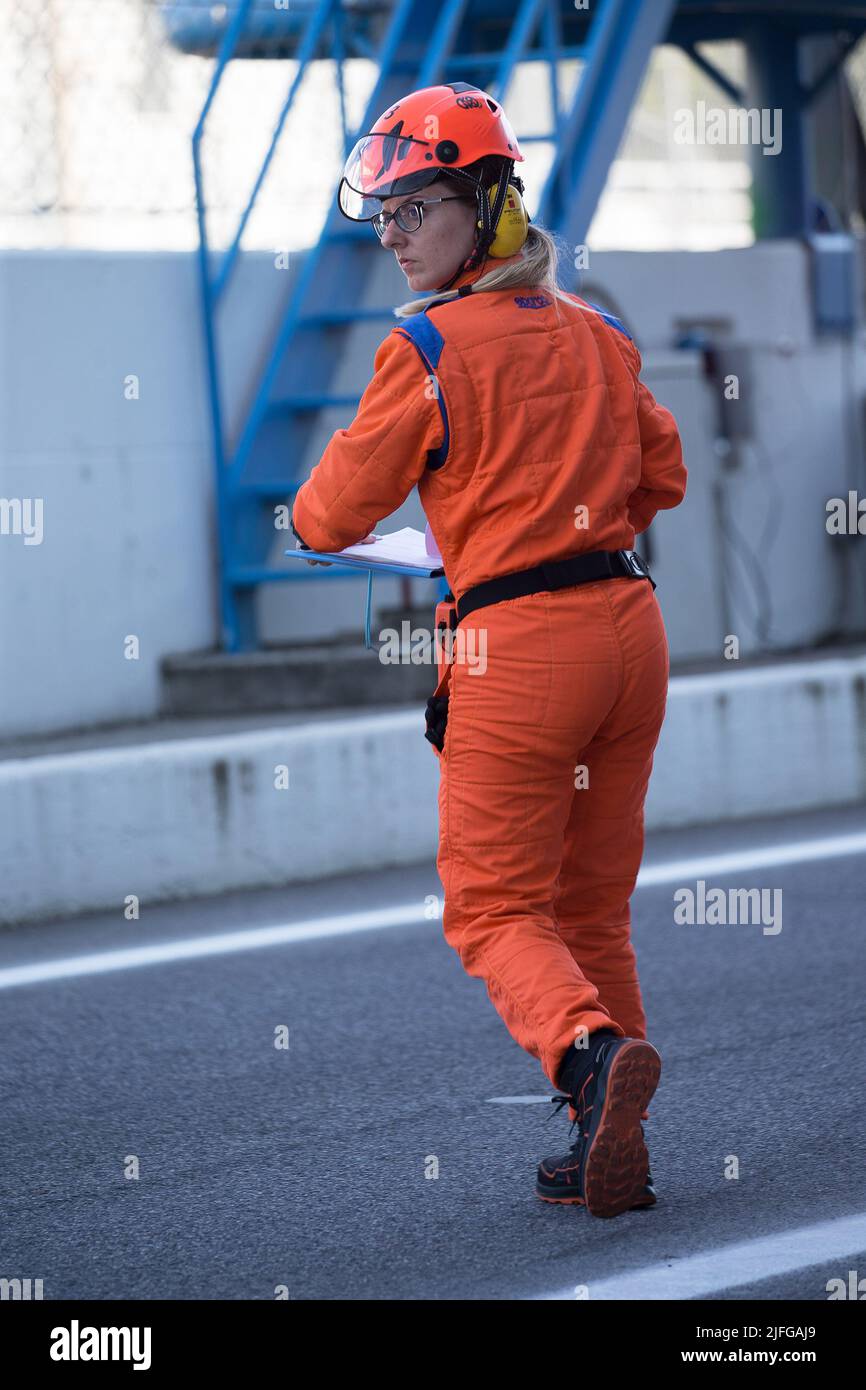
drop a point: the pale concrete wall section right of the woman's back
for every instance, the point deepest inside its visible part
(799, 436)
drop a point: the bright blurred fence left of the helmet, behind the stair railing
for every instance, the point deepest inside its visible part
(98, 111)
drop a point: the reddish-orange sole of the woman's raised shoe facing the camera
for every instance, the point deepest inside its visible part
(615, 1170)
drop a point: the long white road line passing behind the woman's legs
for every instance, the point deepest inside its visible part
(409, 915)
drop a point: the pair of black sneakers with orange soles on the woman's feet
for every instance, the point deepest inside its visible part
(607, 1170)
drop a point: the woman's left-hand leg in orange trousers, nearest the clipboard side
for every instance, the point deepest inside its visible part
(554, 672)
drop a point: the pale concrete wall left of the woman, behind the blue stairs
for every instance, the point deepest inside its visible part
(127, 489)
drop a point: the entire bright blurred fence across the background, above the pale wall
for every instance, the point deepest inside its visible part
(98, 111)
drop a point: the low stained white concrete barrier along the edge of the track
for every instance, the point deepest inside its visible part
(195, 817)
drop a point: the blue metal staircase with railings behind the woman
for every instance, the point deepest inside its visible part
(415, 44)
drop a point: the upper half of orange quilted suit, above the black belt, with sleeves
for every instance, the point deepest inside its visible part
(525, 426)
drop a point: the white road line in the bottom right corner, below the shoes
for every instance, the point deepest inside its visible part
(732, 1267)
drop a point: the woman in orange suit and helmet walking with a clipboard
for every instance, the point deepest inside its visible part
(518, 412)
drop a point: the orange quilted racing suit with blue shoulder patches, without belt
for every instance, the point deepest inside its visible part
(523, 423)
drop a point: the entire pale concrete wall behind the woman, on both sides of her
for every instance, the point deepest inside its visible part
(129, 546)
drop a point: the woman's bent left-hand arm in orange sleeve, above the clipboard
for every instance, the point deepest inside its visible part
(370, 469)
